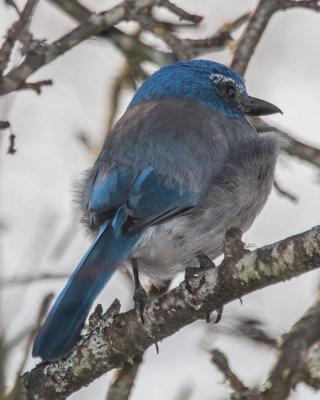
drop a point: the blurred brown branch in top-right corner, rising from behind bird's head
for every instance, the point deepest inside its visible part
(257, 24)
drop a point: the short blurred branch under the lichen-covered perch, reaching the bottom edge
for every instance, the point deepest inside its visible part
(123, 380)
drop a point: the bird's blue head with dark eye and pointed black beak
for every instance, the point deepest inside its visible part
(208, 83)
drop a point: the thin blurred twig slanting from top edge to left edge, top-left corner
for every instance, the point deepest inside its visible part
(16, 32)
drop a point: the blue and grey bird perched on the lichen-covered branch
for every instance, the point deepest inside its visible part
(179, 168)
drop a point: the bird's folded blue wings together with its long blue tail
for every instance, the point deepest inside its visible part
(127, 207)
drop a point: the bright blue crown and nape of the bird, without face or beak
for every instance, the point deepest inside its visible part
(190, 81)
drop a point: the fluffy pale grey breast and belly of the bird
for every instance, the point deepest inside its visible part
(235, 197)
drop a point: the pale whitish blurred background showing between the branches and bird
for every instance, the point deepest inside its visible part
(59, 134)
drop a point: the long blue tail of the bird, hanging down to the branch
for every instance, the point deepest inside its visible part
(66, 318)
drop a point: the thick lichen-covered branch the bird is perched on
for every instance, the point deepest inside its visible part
(112, 339)
